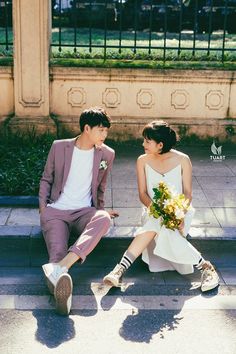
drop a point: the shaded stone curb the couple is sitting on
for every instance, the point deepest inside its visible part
(25, 246)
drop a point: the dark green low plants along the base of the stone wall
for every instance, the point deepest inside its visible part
(23, 157)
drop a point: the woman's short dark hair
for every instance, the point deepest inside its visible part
(159, 131)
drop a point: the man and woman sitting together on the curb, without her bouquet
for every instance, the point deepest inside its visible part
(72, 195)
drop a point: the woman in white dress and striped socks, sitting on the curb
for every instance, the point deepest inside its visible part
(163, 249)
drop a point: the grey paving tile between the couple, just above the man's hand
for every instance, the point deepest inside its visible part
(125, 198)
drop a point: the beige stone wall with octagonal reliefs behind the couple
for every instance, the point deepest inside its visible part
(196, 102)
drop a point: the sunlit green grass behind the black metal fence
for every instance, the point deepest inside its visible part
(178, 53)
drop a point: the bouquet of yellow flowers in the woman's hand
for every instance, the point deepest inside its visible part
(169, 206)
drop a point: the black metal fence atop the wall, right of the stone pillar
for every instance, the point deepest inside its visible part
(153, 29)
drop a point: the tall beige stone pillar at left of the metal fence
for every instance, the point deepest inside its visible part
(32, 32)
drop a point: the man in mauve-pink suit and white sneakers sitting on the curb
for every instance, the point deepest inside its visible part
(71, 194)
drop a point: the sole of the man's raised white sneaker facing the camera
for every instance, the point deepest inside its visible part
(63, 294)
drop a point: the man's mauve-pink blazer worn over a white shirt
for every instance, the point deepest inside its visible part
(57, 169)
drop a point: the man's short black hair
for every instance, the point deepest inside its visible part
(94, 116)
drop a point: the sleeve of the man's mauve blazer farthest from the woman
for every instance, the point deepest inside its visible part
(47, 178)
